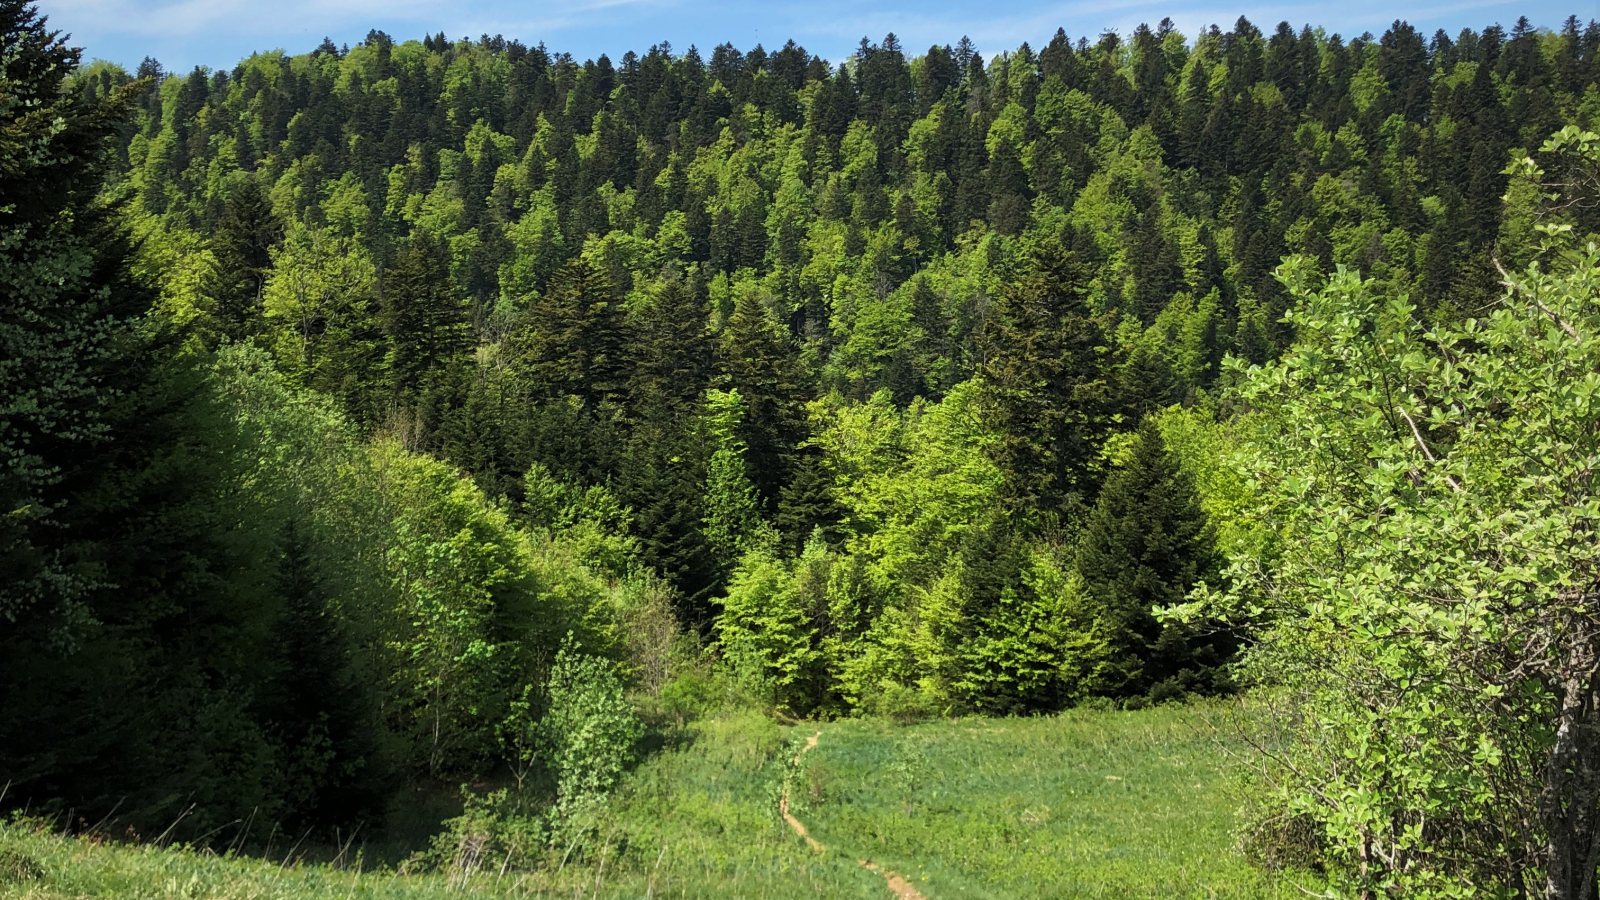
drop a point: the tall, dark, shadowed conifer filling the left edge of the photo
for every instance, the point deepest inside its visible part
(119, 585)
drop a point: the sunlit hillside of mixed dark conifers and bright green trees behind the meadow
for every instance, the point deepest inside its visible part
(905, 310)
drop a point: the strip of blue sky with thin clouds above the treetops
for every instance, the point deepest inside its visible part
(220, 33)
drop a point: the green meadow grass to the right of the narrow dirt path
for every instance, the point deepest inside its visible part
(1086, 805)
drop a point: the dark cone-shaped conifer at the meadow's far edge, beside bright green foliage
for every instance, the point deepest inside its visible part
(1148, 544)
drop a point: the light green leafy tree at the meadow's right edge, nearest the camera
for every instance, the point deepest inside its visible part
(1434, 635)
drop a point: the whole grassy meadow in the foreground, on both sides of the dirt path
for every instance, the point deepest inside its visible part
(1087, 805)
